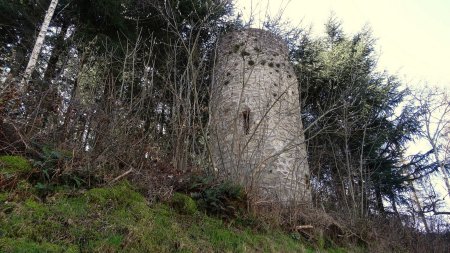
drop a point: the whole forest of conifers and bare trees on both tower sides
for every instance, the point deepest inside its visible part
(121, 88)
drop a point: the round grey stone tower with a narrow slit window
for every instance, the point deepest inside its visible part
(256, 131)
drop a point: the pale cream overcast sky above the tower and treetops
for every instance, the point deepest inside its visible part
(413, 35)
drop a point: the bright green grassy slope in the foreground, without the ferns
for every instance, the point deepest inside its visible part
(118, 219)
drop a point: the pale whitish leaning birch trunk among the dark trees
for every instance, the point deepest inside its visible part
(38, 45)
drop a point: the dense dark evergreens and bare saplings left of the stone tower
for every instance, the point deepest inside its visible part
(110, 60)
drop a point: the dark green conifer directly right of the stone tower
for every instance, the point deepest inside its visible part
(356, 136)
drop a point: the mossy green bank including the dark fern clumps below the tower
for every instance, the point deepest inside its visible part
(118, 218)
